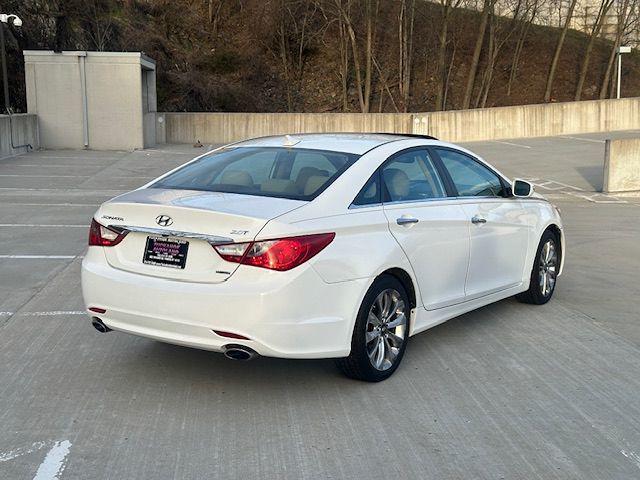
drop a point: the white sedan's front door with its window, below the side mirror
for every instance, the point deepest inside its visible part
(498, 224)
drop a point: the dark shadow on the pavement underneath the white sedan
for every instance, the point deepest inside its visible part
(158, 362)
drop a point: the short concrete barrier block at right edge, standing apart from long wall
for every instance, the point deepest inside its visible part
(622, 165)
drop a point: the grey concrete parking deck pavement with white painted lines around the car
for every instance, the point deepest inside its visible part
(509, 391)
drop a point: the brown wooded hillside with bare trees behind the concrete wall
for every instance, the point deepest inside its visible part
(339, 55)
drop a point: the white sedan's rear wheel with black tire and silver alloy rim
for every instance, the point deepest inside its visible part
(358, 364)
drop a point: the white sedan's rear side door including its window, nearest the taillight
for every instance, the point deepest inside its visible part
(431, 228)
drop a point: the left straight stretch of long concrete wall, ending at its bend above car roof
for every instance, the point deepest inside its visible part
(231, 127)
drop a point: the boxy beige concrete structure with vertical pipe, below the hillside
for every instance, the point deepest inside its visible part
(95, 100)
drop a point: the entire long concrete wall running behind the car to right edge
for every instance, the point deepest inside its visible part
(454, 126)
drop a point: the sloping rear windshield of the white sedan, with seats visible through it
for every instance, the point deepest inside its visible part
(299, 174)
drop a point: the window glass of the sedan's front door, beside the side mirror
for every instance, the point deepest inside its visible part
(471, 178)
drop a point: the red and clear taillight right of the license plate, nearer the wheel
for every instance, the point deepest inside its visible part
(280, 254)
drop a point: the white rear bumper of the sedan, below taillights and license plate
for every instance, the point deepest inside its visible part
(292, 314)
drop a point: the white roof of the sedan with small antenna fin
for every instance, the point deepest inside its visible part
(356, 143)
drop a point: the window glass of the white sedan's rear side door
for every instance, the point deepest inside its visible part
(411, 176)
